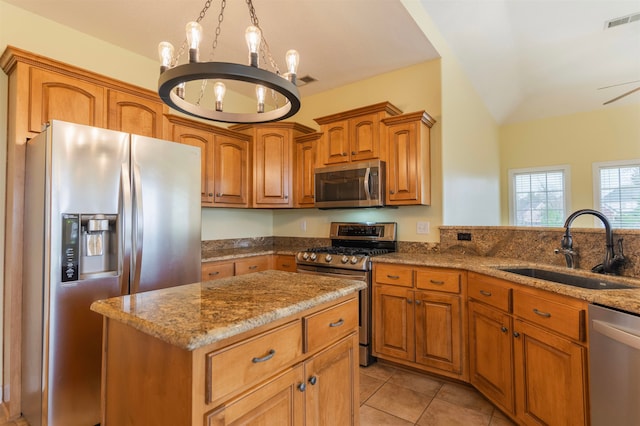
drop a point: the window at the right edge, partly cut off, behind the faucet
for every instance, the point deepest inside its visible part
(617, 192)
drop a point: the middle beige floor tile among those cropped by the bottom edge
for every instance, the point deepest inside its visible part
(443, 413)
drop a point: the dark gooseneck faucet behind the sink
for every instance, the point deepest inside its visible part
(612, 261)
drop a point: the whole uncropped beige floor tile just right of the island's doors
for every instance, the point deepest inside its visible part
(399, 401)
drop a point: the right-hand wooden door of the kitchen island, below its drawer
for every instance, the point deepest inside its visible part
(332, 381)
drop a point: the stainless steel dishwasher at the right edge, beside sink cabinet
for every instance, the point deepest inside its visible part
(614, 366)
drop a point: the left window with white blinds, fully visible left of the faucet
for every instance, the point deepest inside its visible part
(539, 196)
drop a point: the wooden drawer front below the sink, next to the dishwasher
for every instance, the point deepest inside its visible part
(558, 317)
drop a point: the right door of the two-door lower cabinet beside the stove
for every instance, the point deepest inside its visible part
(439, 331)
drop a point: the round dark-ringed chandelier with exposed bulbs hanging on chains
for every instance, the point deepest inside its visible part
(280, 89)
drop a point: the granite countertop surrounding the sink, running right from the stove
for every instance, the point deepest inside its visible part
(624, 299)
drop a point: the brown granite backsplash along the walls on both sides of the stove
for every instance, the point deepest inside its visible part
(526, 244)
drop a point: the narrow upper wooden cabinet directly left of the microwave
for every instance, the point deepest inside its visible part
(306, 158)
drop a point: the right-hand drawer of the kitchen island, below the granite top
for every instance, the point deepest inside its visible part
(329, 325)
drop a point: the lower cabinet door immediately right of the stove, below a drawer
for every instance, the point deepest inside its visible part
(393, 322)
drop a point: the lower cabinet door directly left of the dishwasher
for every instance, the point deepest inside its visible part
(550, 378)
